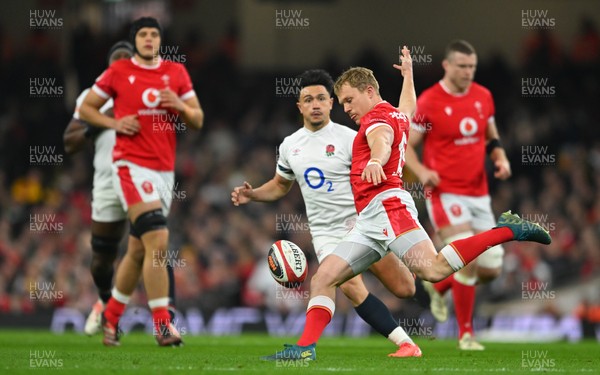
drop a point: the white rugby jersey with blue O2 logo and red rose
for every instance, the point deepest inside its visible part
(320, 163)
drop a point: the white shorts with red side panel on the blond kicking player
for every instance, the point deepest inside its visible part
(390, 217)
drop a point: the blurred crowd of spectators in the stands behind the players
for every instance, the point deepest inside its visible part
(220, 249)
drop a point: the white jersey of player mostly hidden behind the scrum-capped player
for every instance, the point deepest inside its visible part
(104, 144)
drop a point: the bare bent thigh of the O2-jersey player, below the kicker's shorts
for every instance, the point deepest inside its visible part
(394, 275)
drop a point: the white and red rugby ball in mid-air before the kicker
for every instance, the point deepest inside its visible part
(287, 263)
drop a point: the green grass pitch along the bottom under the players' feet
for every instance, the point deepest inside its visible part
(41, 352)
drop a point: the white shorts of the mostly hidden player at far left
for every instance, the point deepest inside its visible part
(106, 206)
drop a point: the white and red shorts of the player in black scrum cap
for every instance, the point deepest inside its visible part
(135, 184)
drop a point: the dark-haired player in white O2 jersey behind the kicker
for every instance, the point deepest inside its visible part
(318, 157)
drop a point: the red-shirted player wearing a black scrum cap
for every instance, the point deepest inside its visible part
(150, 95)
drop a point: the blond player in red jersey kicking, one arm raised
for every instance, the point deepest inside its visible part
(387, 217)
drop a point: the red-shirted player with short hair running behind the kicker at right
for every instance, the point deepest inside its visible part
(455, 122)
